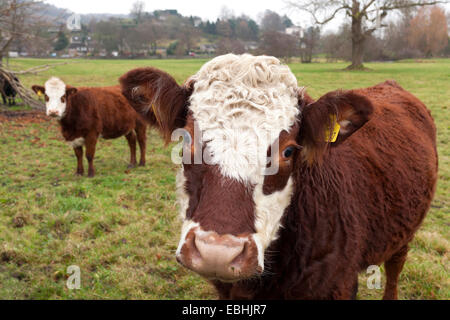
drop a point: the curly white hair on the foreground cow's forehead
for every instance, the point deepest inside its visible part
(241, 104)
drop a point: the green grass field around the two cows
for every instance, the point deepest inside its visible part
(121, 227)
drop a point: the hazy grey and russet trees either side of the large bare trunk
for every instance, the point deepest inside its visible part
(417, 33)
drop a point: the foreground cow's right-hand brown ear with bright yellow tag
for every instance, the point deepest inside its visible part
(330, 120)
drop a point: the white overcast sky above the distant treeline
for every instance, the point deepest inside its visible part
(205, 9)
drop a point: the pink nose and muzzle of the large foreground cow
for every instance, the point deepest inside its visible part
(222, 257)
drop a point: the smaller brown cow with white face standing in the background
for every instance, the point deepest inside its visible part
(85, 114)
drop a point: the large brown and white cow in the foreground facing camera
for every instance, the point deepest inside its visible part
(333, 207)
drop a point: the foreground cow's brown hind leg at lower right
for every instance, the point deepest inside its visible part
(393, 268)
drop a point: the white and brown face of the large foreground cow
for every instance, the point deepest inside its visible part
(241, 106)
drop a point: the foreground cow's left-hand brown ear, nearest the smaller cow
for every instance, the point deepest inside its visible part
(158, 98)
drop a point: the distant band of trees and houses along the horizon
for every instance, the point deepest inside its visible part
(418, 30)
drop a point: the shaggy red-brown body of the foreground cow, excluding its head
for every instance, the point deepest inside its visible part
(361, 207)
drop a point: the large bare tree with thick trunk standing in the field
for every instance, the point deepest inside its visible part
(366, 16)
